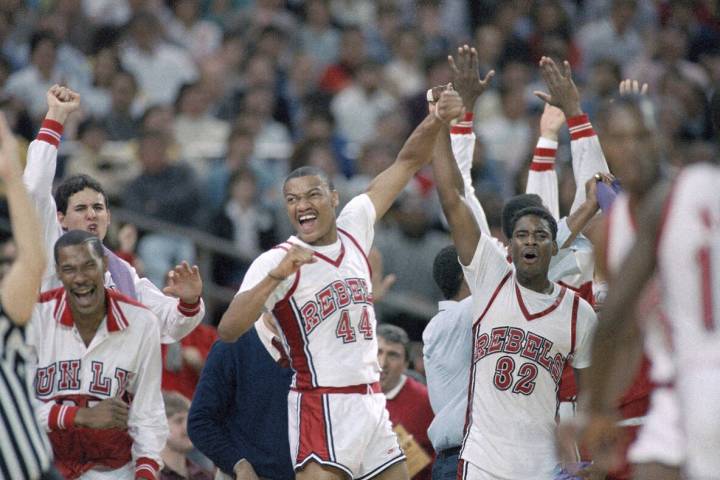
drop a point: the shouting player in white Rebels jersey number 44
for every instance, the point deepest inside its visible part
(317, 286)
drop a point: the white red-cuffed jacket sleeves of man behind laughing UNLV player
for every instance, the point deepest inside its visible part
(176, 318)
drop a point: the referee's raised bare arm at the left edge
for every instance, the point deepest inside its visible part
(22, 283)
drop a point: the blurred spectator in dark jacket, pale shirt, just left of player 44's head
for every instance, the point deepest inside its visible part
(244, 221)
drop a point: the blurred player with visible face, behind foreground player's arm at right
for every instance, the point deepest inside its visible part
(658, 450)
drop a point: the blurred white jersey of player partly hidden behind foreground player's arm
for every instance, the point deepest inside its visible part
(621, 235)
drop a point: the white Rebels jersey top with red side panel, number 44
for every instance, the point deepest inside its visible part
(325, 312)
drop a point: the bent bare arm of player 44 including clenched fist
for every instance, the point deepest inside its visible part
(247, 306)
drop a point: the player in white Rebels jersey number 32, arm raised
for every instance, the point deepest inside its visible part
(526, 328)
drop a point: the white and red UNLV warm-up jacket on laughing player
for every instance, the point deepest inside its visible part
(122, 360)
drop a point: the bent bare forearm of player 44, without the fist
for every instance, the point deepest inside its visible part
(245, 309)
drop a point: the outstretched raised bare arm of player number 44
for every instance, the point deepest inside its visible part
(415, 154)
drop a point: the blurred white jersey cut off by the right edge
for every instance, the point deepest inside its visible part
(689, 266)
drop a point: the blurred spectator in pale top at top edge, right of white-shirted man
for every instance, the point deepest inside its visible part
(199, 37)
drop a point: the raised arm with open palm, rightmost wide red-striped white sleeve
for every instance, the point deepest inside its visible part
(587, 156)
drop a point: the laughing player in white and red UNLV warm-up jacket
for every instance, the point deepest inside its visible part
(98, 371)
